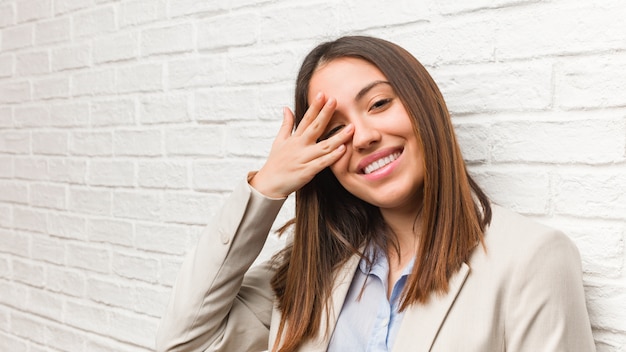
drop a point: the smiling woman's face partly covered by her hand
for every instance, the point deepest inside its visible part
(383, 164)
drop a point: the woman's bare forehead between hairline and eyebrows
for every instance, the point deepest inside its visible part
(343, 76)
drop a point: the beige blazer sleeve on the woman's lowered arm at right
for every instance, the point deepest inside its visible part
(546, 308)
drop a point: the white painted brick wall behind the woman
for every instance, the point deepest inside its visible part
(125, 123)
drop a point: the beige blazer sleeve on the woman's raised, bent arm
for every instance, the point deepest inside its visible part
(218, 303)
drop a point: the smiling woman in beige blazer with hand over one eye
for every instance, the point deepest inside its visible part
(394, 246)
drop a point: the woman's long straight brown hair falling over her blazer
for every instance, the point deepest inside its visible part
(331, 225)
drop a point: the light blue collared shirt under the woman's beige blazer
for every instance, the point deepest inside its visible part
(371, 322)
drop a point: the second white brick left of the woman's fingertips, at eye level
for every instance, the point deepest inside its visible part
(227, 104)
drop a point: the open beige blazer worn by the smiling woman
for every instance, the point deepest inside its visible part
(524, 293)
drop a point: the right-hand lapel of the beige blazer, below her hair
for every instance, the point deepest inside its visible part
(421, 322)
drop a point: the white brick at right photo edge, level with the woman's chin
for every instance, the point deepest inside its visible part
(591, 193)
